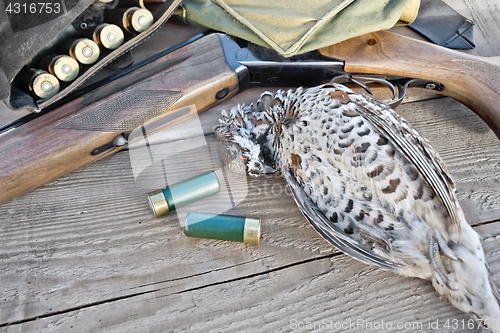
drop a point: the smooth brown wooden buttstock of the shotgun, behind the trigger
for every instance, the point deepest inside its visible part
(472, 80)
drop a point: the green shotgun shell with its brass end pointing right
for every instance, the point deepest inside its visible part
(224, 227)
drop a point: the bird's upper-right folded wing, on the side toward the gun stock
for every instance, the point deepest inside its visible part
(418, 151)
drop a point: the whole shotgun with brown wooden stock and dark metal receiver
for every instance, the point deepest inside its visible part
(96, 121)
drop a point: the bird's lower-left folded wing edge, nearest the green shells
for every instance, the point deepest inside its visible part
(332, 233)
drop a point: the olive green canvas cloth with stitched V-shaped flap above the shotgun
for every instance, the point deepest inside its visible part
(296, 26)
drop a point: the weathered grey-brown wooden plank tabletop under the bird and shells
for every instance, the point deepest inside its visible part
(84, 253)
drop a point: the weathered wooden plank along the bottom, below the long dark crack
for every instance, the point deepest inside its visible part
(325, 292)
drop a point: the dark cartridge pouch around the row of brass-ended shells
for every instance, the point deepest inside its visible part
(26, 31)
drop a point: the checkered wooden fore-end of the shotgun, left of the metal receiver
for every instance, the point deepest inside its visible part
(82, 131)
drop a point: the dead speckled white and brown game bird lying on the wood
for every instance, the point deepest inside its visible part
(369, 184)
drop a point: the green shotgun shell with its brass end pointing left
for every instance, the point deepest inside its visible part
(183, 193)
